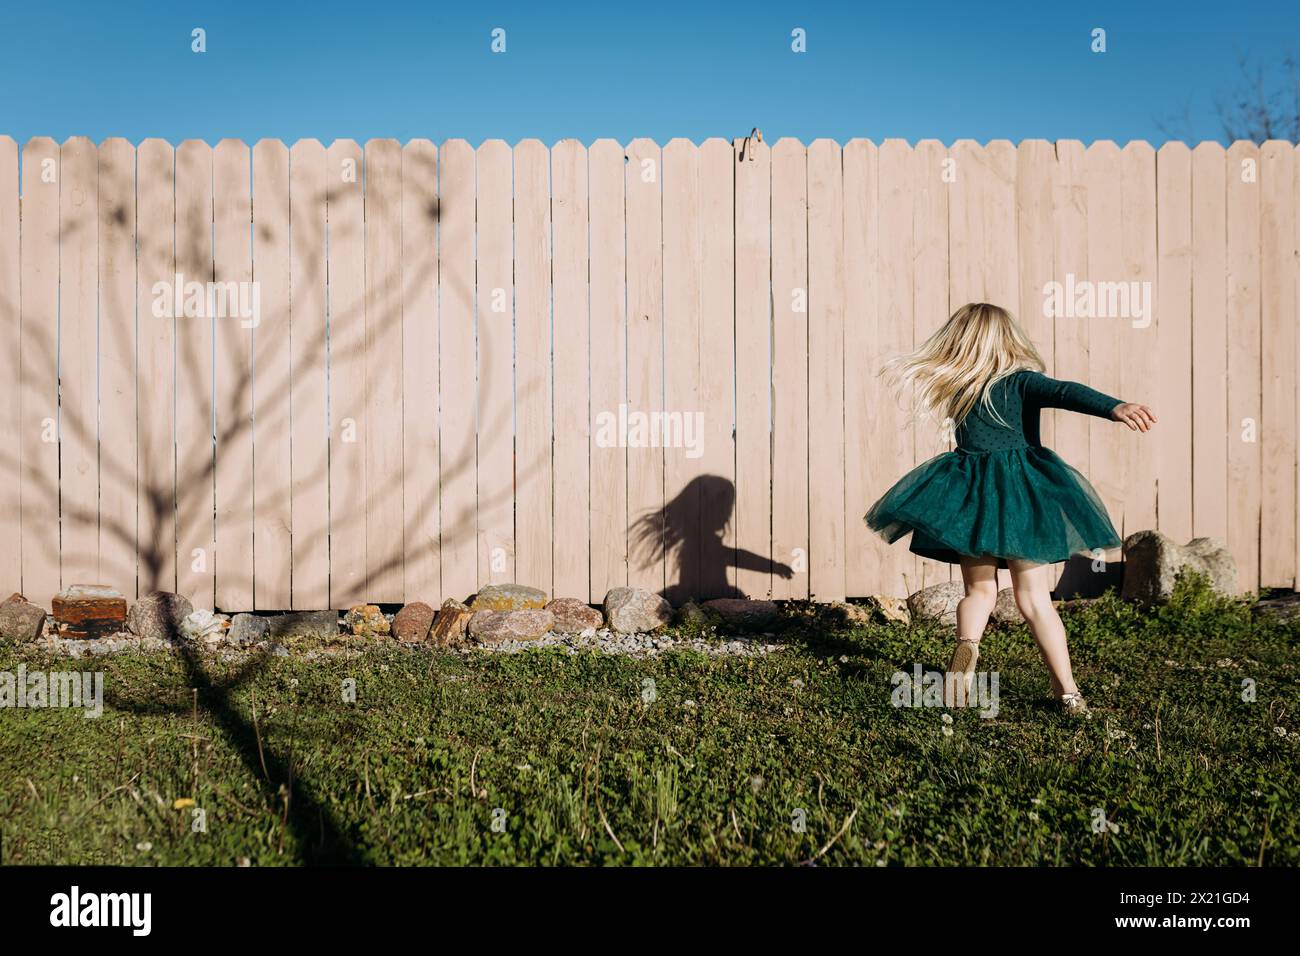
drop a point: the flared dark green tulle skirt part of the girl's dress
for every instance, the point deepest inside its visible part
(1024, 504)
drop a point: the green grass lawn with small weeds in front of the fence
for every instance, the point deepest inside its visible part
(580, 769)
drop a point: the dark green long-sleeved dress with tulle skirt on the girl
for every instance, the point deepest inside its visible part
(1002, 494)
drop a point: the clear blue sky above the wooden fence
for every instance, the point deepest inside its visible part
(384, 68)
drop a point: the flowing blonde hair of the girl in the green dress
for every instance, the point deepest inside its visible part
(955, 370)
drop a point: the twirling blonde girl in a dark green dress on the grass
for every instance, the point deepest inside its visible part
(1000, 500)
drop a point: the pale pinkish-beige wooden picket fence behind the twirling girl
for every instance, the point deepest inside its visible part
(444, 332)
